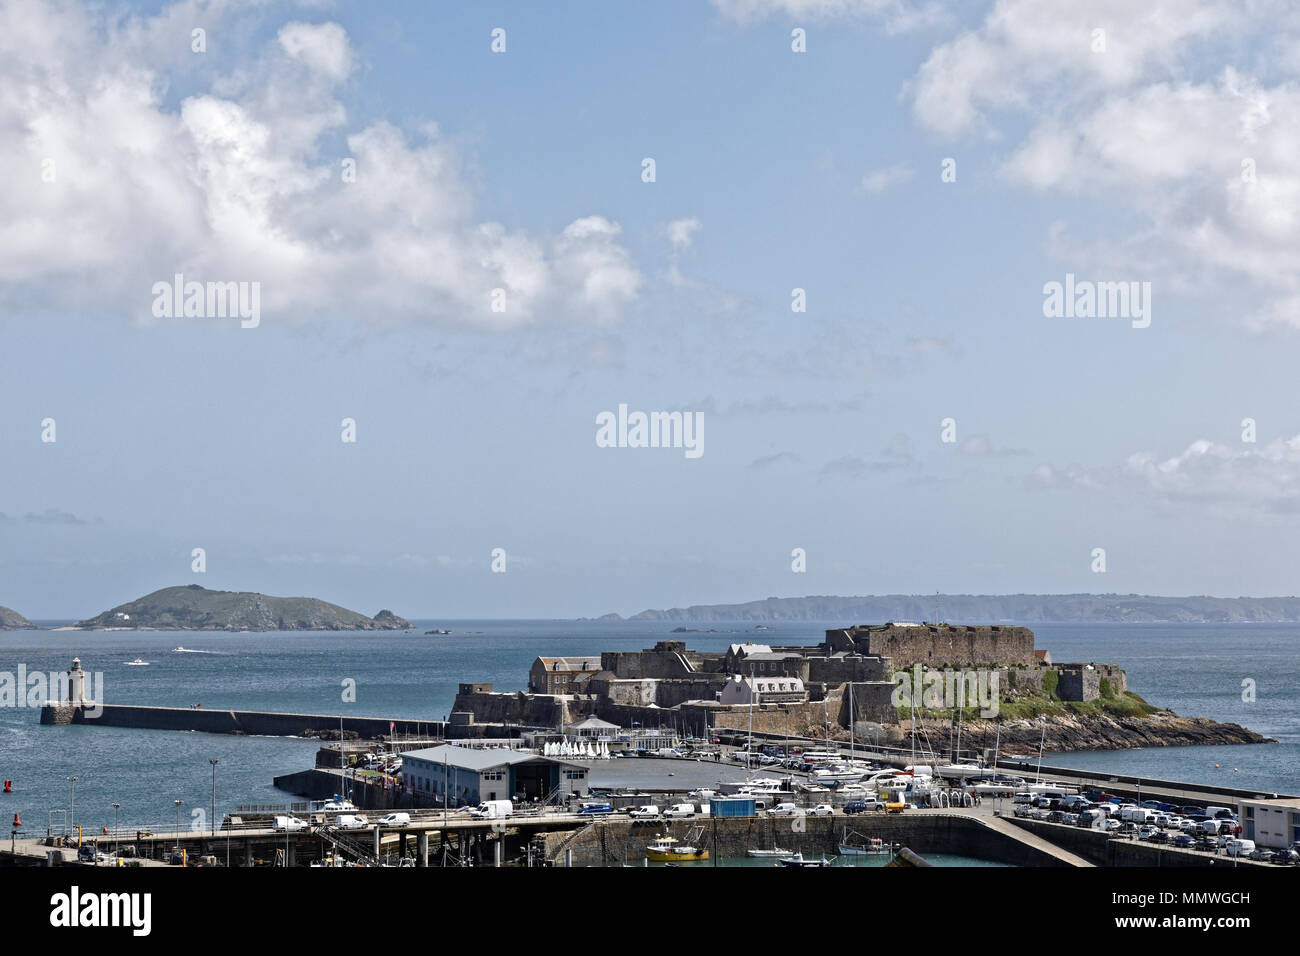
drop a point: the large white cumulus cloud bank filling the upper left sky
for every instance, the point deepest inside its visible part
(118, 187)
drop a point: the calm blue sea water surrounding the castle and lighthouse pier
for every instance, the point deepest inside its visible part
(1197, 671)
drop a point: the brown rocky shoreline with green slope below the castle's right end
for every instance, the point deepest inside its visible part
(1067, 734)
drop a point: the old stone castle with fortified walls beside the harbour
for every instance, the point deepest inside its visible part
(850, 676)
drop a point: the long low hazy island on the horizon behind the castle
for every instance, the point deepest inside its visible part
(1025, 609)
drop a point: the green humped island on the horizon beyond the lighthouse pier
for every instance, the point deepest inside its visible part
(193, 608)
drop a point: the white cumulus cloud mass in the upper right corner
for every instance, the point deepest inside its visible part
(1162, 118)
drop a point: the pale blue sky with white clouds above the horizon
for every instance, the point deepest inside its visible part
(826, 231)
